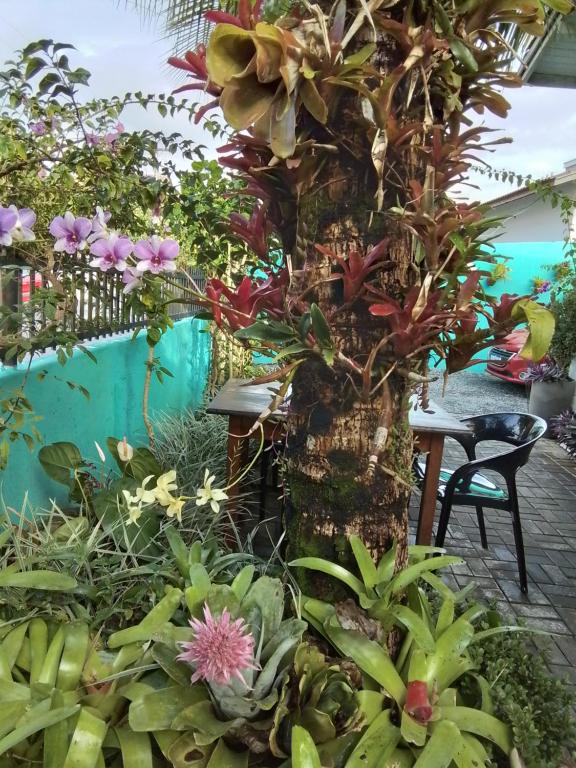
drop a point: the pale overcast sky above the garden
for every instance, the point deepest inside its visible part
(125, 54)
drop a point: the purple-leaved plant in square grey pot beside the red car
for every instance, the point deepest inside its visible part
(551, 390)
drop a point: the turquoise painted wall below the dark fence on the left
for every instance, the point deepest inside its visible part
(115, 384)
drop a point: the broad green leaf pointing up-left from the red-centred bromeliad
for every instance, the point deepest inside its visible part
(372, 659)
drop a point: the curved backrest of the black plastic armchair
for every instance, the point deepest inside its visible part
(521, 430)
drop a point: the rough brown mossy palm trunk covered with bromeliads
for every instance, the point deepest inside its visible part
(348, 455)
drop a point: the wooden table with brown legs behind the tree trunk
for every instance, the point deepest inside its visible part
(243, 404)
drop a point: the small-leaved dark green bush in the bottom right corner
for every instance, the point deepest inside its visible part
(538, 707)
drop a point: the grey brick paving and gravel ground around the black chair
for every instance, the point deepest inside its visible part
(547, 490)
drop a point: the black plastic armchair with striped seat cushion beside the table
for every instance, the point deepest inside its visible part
(466, 486)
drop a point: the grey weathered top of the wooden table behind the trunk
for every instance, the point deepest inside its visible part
(236, 398)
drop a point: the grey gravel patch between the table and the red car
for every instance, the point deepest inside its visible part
(470, 393)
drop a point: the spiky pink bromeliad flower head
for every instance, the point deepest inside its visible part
(221, 648)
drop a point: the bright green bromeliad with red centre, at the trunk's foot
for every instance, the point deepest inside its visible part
(423, 714)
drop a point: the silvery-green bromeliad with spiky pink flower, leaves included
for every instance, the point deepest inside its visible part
(241, 650)
